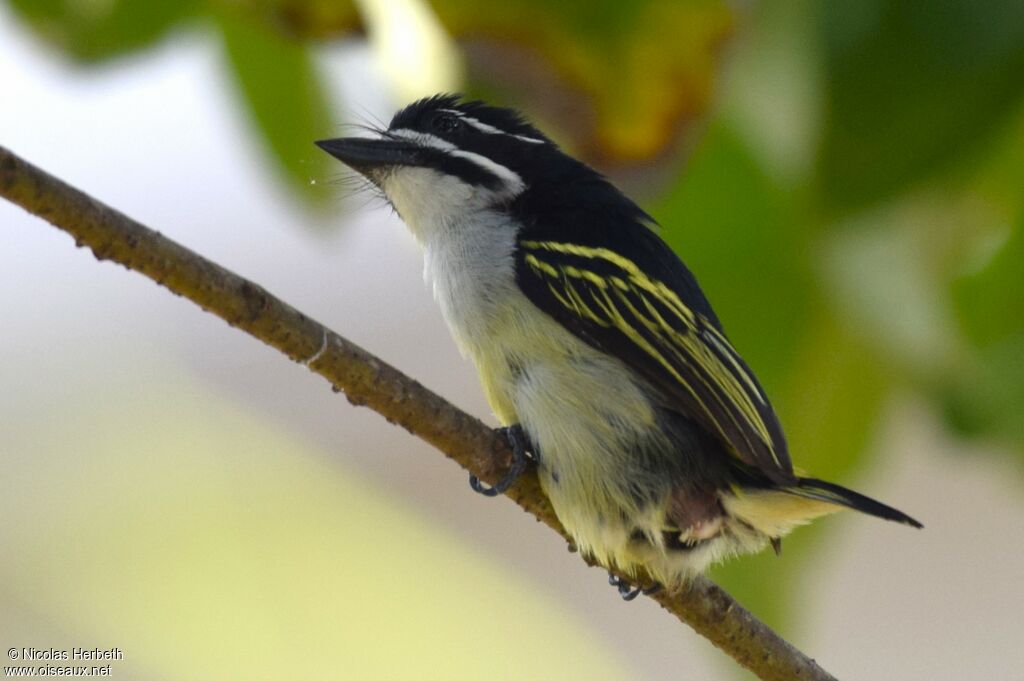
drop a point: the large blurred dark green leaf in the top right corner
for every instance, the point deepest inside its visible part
(913, 86)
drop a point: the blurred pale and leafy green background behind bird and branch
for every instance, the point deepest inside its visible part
(845, 180)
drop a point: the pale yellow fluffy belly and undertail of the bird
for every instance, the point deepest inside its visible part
(588, 415)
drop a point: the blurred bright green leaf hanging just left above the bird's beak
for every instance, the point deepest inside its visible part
(283, 96)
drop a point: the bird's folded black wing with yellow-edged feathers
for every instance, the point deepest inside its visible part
(657, 321)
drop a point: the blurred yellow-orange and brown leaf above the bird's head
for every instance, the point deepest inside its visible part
(647, 69)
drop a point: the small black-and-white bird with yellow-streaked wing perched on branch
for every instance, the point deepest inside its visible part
(596, 349)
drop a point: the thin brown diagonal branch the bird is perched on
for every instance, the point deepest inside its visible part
(365, 380)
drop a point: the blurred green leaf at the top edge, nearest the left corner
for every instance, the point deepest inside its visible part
(99, 31)
